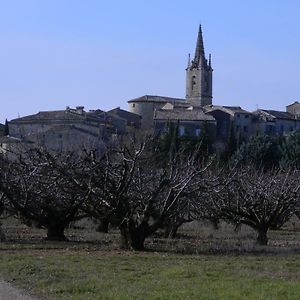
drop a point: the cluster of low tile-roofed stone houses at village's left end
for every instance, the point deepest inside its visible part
(68, 129)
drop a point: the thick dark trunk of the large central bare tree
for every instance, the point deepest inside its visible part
(132, 237)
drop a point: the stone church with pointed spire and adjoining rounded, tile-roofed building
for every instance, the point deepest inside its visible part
(157, 110)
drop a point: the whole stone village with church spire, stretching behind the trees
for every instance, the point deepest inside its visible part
(74, 128)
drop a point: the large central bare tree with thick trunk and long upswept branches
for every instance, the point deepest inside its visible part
(138, 195)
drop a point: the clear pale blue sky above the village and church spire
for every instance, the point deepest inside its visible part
(102, 53)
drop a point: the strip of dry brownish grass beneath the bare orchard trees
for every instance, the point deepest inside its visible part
(193, 238)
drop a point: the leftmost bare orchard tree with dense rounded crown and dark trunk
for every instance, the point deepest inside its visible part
(43, 187)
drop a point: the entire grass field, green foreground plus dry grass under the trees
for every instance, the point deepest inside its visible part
(223, 265)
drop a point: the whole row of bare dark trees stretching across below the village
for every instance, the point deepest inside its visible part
(143, 185)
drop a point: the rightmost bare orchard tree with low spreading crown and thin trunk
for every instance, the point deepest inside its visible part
(261, 200)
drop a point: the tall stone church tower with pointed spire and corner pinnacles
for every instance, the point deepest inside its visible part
(199, 76)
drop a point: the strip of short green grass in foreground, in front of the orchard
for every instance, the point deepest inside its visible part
(88, 275)
